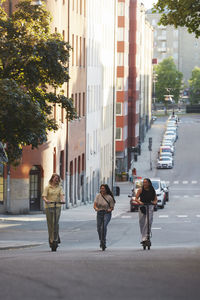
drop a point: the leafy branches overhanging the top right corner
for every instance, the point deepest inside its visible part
(180, 13)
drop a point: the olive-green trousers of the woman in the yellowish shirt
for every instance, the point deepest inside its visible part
(50, 223)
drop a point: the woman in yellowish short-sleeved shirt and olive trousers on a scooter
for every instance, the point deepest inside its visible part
(53, 193)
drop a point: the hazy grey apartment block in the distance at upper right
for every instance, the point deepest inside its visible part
(178, 43)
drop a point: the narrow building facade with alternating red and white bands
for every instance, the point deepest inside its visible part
(122, 85)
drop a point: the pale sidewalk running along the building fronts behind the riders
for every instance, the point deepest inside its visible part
(86, 212)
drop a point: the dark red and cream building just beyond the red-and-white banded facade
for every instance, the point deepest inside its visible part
(140, 78)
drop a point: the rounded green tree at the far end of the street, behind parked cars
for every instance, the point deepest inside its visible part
(168, 80)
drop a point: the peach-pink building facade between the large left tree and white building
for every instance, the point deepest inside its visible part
(76, 131)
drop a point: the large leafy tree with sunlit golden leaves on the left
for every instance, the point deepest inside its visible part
(33, 66)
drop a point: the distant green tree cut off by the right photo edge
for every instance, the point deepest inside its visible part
(194, 84)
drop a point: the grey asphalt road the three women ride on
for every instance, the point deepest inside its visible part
(79, 270)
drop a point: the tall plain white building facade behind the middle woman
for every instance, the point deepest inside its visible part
(100, 123)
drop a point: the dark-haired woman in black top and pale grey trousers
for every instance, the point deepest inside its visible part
(146, 195)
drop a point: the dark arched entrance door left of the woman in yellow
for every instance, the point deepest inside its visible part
(35, 188)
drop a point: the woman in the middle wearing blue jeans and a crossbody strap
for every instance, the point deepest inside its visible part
(104, 204)
